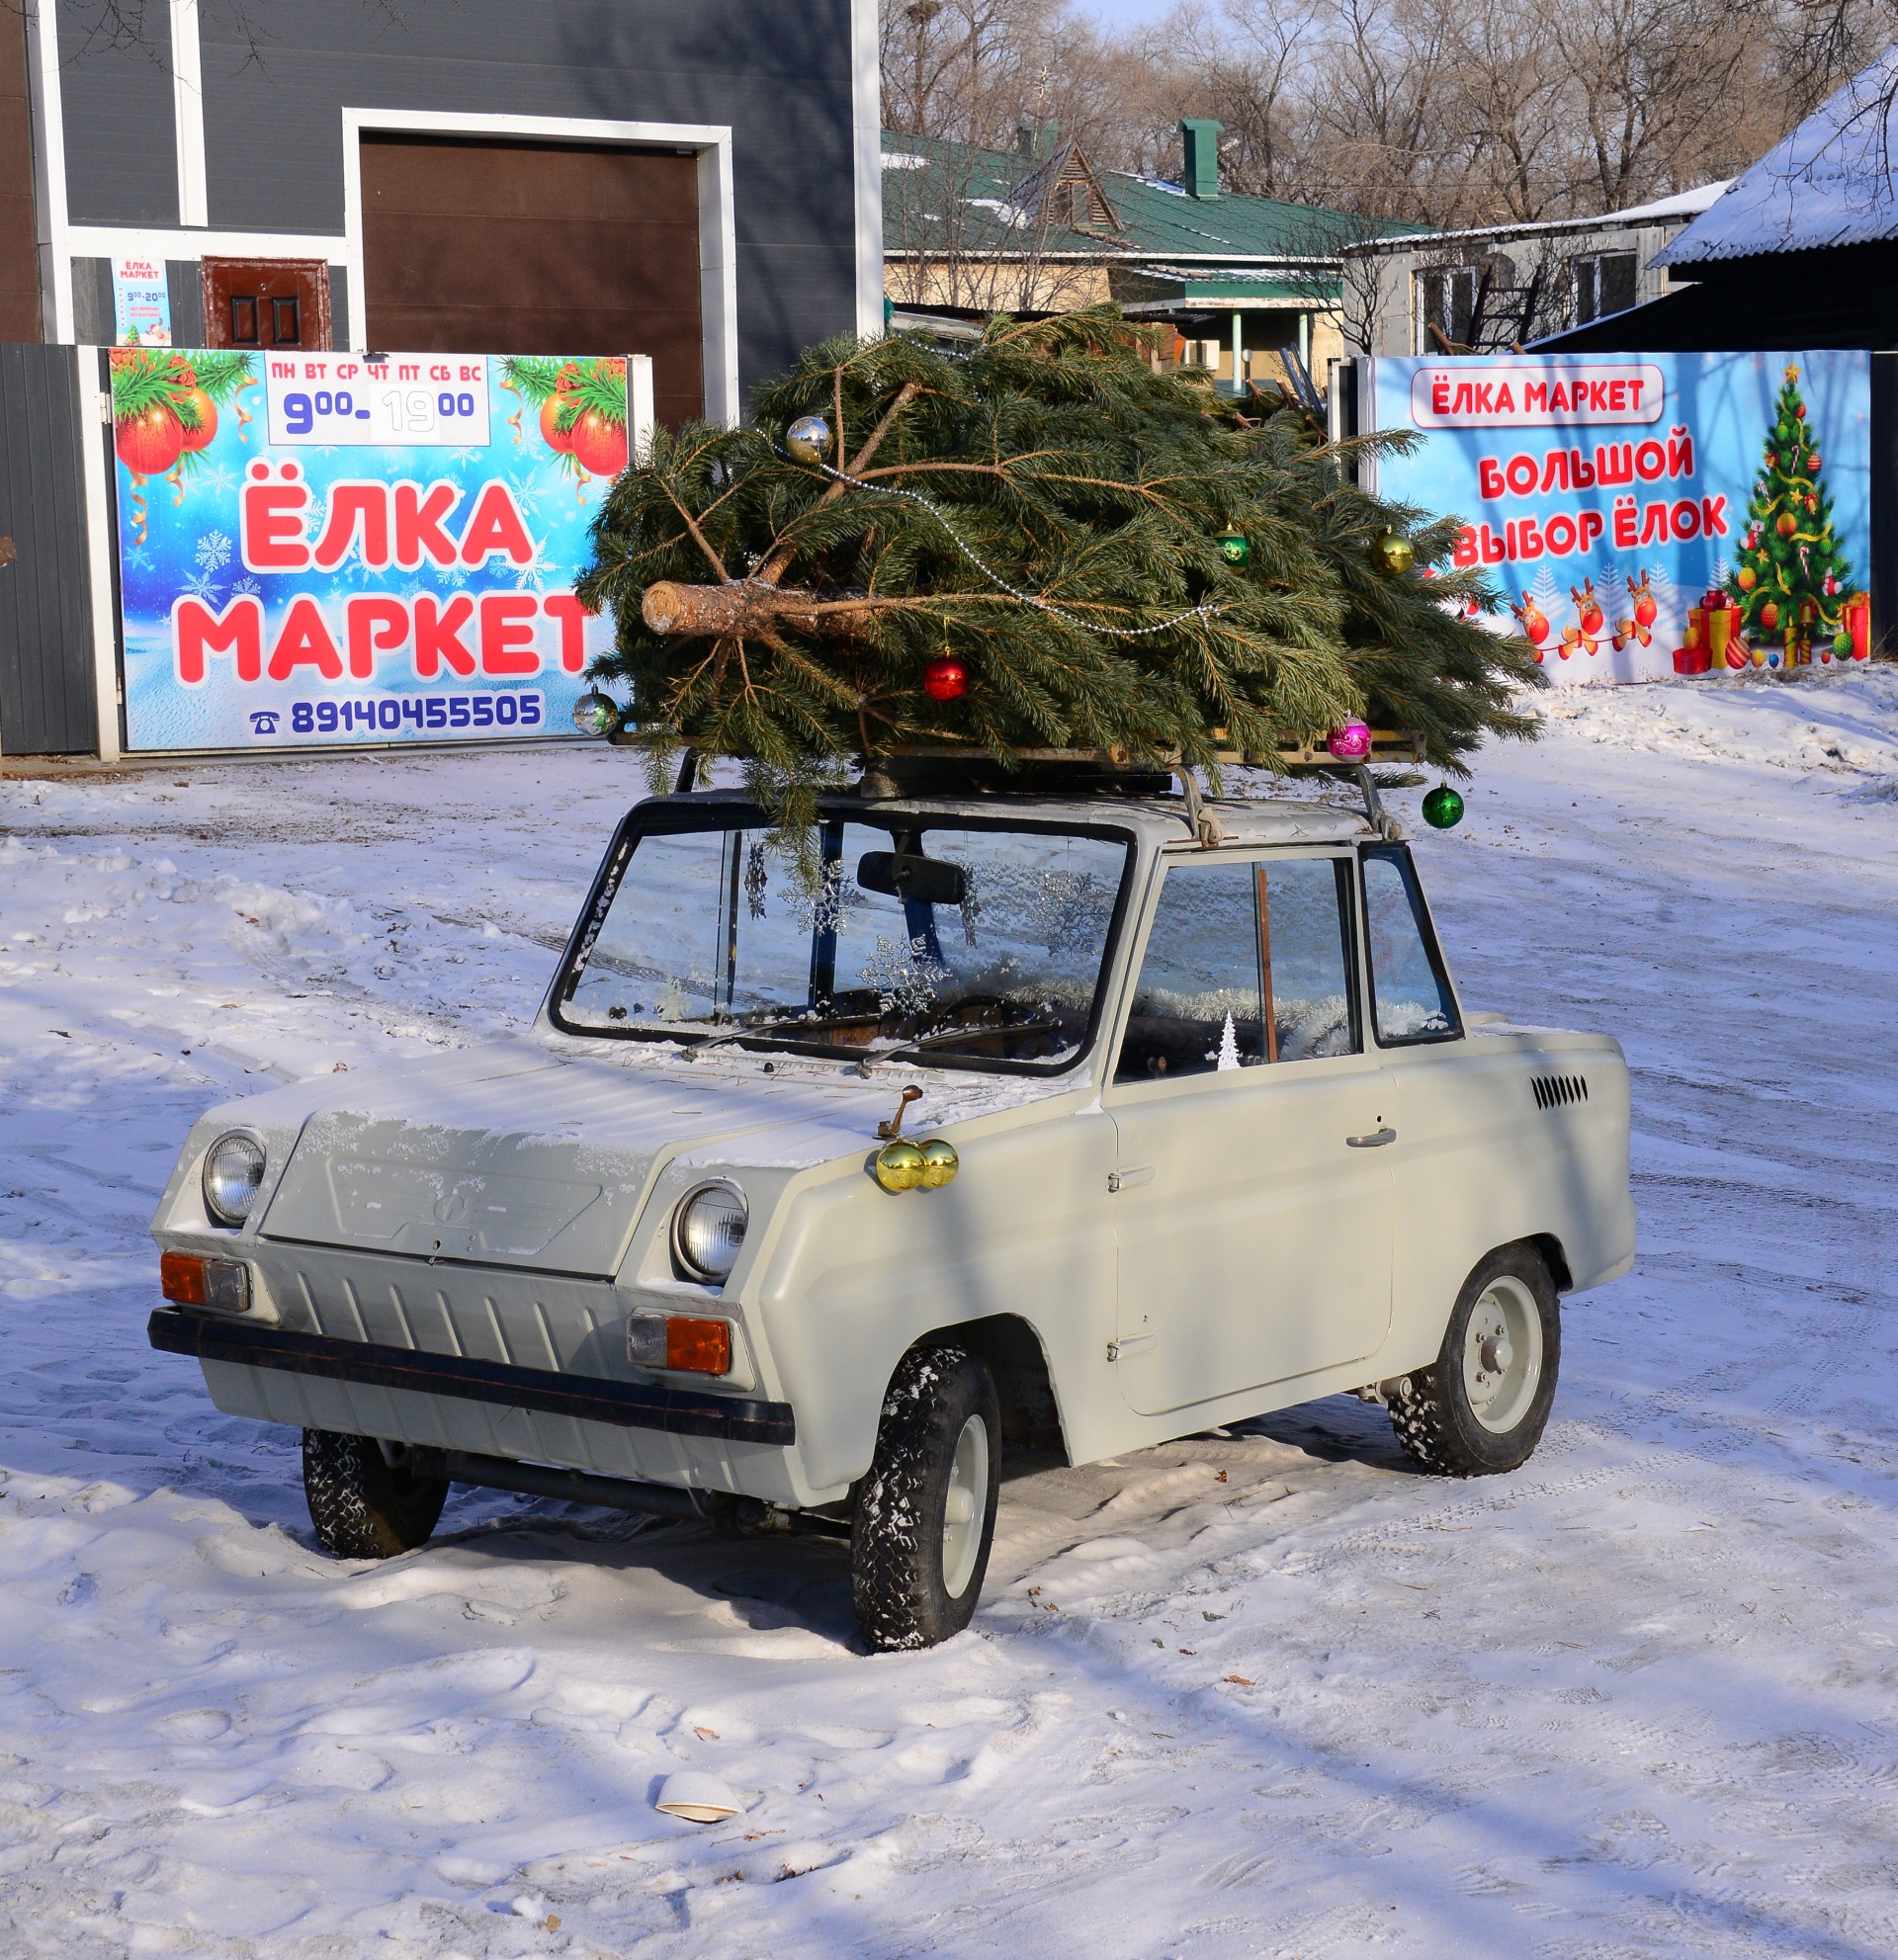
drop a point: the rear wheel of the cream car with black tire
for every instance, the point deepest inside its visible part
(1434, 1412)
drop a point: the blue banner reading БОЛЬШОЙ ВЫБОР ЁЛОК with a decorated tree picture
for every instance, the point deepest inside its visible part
(1652, 514)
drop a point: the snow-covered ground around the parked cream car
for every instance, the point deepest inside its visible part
(1254, 1694)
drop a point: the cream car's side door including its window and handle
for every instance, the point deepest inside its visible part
(1254, 1197)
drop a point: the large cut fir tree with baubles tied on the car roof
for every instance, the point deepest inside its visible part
(1019, 552)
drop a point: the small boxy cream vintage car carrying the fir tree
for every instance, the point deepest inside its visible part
(1079, 1122)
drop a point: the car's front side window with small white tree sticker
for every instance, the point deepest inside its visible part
(1246, 965)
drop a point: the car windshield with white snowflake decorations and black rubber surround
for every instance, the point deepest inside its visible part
(950, 942)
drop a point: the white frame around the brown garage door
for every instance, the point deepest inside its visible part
(717, 228)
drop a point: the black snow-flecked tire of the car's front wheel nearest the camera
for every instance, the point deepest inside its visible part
(899, 1587)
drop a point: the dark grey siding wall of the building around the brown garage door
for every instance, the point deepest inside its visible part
(779, 75)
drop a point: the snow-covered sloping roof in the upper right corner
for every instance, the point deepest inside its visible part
(1830, 183)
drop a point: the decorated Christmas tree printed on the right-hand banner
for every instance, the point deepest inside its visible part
(1791, 581)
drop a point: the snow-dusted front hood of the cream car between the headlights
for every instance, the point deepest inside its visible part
(544, 1163)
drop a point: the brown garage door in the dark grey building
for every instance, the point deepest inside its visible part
(536, 250)
